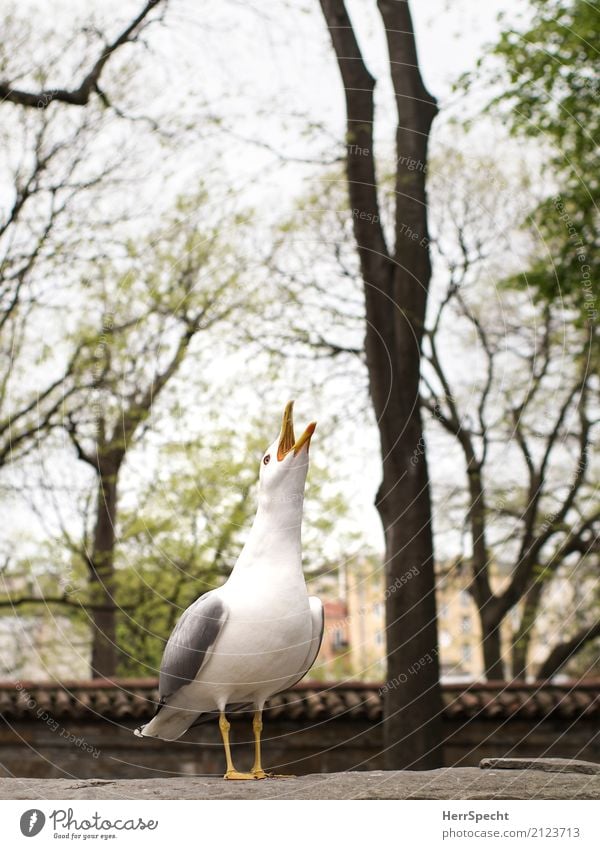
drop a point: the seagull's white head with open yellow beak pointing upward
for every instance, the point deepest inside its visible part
(284, 465)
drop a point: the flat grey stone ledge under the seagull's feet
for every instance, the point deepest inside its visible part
(457, 783)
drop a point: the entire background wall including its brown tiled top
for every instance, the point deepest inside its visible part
(84, 729)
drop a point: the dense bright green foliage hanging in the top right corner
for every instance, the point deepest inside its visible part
(551, 87)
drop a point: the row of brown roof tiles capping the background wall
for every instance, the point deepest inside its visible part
(133, 699)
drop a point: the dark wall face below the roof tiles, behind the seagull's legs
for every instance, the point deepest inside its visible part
(105, 749)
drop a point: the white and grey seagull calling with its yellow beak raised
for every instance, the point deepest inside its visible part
(260, 632)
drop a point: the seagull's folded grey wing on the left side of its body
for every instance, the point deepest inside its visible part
(193, 636)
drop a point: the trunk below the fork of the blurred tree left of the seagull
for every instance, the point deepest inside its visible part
(104, 649)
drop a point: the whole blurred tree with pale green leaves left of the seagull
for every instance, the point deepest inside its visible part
(143, 319)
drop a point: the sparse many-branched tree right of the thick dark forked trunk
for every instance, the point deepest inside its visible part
(523, 418)
